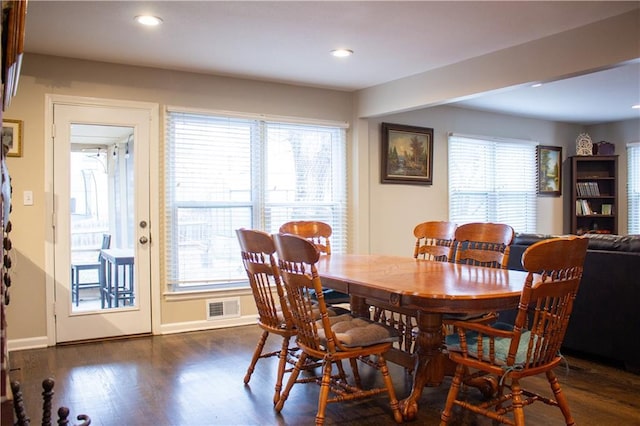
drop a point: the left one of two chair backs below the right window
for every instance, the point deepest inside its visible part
(434, 240)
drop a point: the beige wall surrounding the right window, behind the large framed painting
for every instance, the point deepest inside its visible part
(395, 209)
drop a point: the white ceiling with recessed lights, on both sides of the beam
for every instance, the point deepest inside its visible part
(289, 42)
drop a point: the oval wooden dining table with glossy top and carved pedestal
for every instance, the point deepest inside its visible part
(427, 289)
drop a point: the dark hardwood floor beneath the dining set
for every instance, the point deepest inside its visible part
(197, 379)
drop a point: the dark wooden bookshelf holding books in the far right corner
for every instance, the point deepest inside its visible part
(594, 194)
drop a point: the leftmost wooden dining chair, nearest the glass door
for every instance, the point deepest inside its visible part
(258, 258)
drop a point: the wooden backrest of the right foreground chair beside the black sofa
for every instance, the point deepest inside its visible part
(546, 305)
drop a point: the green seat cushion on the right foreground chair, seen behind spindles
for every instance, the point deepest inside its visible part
(501, 345)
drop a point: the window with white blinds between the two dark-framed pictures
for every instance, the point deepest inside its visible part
(492, 181)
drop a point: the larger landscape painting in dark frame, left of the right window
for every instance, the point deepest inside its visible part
(407, 154)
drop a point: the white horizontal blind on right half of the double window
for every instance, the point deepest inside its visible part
(306, 177)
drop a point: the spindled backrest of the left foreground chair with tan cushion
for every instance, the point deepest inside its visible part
(297, 259)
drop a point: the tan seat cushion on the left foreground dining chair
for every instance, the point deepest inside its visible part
(354, 331)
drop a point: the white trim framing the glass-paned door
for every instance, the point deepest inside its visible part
(154, 203)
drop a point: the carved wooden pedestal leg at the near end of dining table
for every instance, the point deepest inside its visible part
(430, 361)
